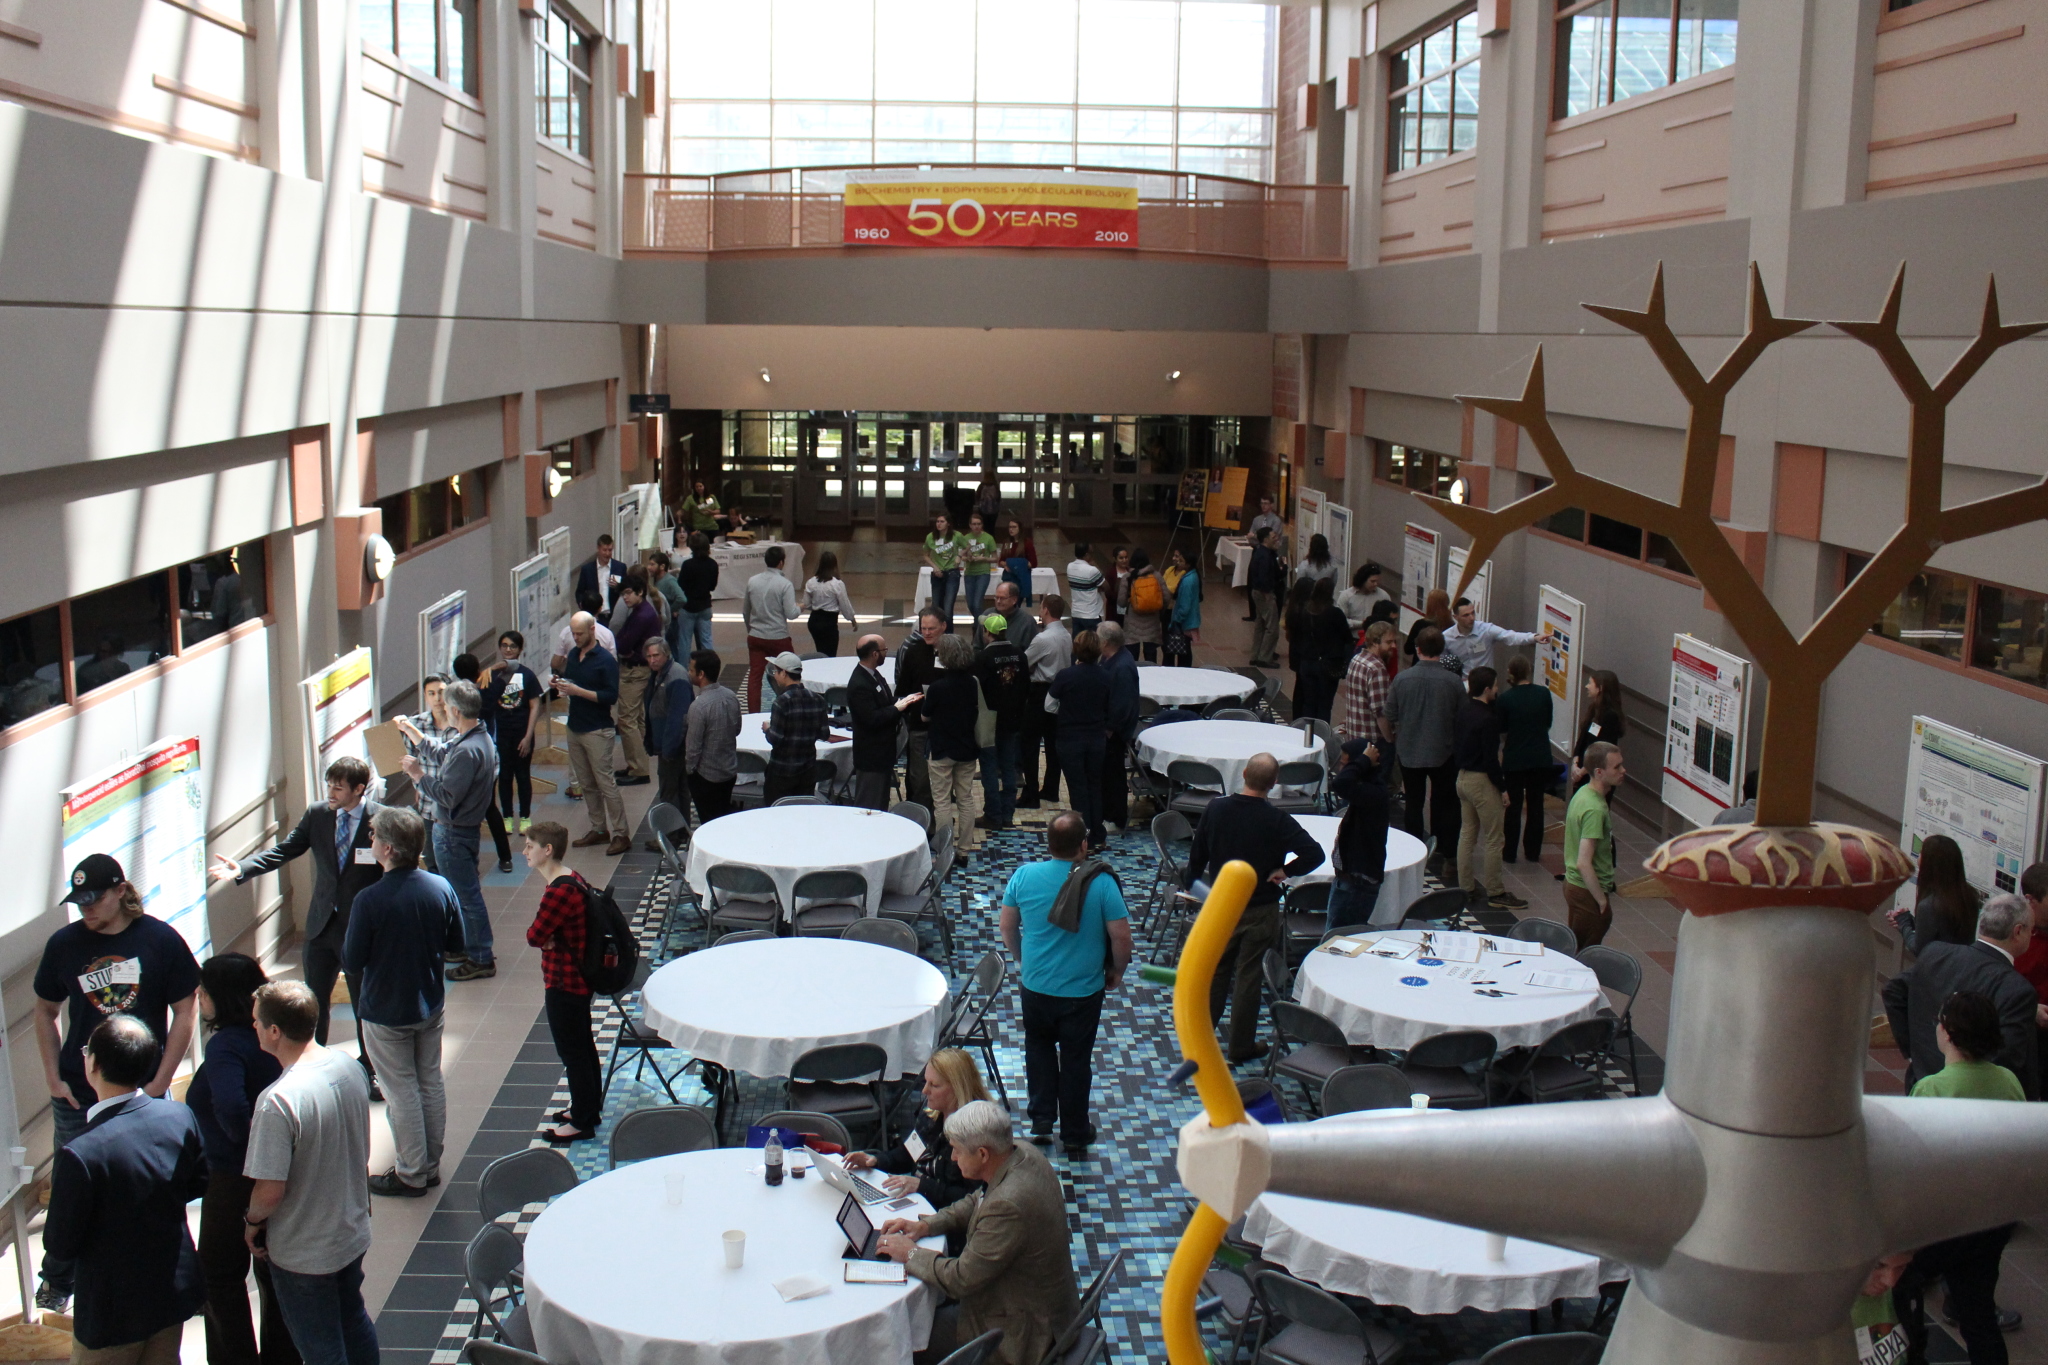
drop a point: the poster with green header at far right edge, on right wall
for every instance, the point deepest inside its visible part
(1981, 795)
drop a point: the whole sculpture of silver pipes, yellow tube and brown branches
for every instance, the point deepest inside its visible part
(1756, 1192)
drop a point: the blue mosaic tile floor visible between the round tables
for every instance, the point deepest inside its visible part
(1123, 1196)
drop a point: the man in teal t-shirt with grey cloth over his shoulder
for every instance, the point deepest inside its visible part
(1064, 973)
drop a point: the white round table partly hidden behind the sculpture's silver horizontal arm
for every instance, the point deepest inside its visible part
(1416, 1264)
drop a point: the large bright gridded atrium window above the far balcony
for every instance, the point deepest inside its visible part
(1150, 85)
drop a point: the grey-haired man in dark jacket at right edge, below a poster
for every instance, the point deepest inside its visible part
(1914, 1000)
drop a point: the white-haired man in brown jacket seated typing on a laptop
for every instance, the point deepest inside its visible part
(1013, 1270)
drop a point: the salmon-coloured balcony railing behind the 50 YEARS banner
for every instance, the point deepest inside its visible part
(1179, 212)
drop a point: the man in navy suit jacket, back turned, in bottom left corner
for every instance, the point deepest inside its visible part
(118, 1202)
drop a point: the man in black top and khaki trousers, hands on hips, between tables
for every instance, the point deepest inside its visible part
(1252, 830)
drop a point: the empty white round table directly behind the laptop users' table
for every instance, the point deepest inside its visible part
(761, 1006)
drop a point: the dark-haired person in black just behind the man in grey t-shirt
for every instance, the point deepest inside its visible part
(222, 1098)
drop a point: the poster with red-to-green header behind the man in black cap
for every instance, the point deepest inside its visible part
(151, 816)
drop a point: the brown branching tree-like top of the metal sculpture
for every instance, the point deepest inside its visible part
(1795, 666)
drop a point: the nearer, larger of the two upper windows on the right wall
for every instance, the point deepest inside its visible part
(1615, 50)
